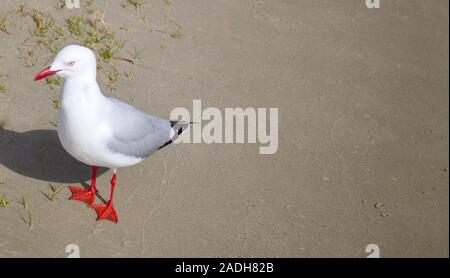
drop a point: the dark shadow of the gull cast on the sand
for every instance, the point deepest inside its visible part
(38, 154)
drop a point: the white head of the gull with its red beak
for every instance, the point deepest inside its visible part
(71, 61)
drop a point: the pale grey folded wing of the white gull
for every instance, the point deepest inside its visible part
(135, 133)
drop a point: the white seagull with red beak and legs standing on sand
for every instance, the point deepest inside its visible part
(102, 131)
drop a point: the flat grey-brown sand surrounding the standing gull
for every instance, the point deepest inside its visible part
(362, 157)
